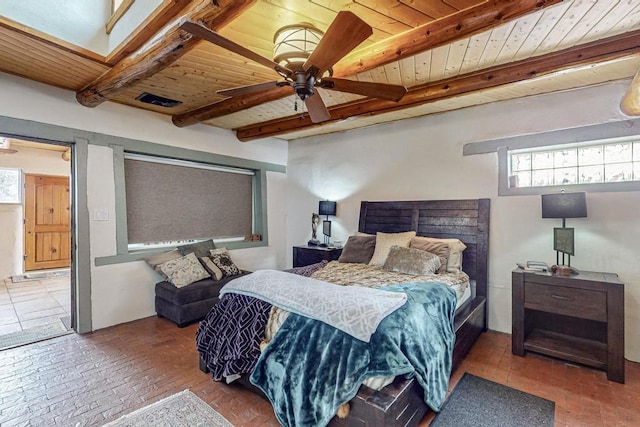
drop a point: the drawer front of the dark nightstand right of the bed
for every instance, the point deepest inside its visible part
(582, 303)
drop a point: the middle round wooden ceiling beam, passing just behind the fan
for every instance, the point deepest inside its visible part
(461, 24)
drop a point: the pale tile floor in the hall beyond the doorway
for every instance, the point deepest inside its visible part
(25, 305)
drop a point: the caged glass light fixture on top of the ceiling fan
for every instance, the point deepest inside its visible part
(293, 44)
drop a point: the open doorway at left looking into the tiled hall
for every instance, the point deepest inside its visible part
(36, 282)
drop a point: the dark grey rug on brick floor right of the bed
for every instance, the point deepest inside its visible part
(478, 402)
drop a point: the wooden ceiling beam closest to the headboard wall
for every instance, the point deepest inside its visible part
(598, 51)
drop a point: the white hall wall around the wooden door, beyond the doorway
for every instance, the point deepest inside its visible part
(30, 160)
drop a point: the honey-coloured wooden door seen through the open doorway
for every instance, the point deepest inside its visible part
(47, 231)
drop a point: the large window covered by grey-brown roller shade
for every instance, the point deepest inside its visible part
(169, 202)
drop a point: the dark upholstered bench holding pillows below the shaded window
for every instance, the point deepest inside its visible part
(190, 303)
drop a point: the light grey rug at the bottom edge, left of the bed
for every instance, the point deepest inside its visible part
(183, 409)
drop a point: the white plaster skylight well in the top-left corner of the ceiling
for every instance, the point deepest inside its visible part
(80, 22)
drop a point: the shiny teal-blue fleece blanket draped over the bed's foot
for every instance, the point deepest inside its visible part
(311, 368)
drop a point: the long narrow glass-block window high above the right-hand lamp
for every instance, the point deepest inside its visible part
(602, 162)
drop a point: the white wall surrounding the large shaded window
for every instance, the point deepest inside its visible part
(124, 292)
